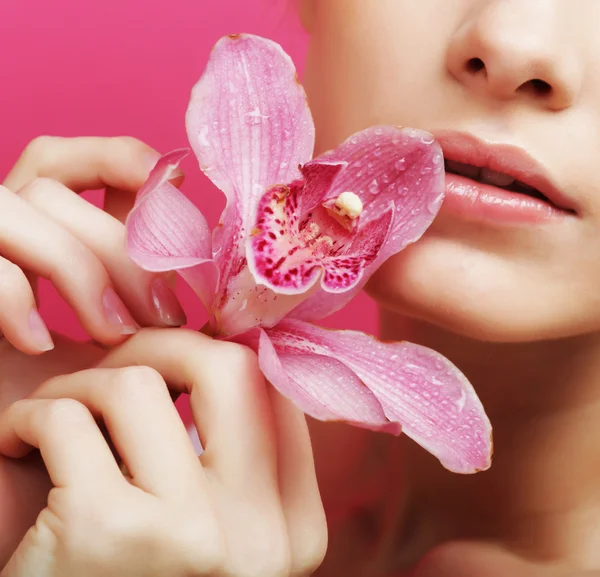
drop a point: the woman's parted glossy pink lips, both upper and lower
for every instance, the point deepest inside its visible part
(478, 200)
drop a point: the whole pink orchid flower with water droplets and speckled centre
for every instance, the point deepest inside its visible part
(297, 240)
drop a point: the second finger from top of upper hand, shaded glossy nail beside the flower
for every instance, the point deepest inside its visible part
(147, 296)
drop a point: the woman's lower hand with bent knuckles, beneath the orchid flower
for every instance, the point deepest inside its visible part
(249, 506)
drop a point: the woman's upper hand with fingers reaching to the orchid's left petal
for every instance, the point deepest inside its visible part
(47, 231)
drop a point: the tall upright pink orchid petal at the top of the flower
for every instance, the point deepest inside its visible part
(250, 126)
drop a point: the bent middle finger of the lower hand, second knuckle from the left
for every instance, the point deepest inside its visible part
(143, 424)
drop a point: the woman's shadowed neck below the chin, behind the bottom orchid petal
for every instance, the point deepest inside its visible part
(543, 400)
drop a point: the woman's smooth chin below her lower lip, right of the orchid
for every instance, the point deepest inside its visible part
(480, 295)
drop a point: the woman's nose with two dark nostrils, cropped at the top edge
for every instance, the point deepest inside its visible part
(517, 49)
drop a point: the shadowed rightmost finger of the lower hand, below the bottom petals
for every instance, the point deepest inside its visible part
(298, 487)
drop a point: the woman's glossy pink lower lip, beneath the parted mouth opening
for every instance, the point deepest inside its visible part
(473, 200)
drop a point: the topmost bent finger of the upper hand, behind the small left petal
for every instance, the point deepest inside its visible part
(85, 163)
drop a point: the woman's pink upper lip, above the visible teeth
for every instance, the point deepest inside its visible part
(509, 159)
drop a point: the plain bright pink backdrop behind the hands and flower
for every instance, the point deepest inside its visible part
(111, 67)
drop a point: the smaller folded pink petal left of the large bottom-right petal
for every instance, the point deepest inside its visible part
(321, 386)
